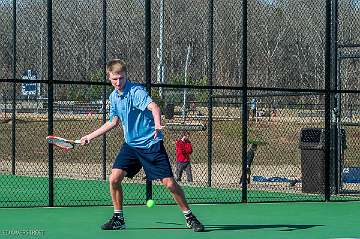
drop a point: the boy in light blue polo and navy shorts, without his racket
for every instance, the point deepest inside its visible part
(143, 147)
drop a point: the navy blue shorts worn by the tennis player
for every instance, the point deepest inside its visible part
(154, 160)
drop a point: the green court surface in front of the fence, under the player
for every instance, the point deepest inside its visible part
(273, 220)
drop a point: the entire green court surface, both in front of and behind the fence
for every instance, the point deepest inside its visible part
(259, 220)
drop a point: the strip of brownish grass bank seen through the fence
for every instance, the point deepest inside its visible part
(280, 141)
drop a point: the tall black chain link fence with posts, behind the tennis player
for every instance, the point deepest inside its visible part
(198, 80)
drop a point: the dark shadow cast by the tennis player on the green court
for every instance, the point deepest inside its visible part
(234, 227)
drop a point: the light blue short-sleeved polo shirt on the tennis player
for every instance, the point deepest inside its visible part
(137, 121)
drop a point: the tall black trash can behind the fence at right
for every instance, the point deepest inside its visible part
(312, 146)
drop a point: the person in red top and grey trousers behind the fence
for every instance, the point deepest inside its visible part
(183, 151)
